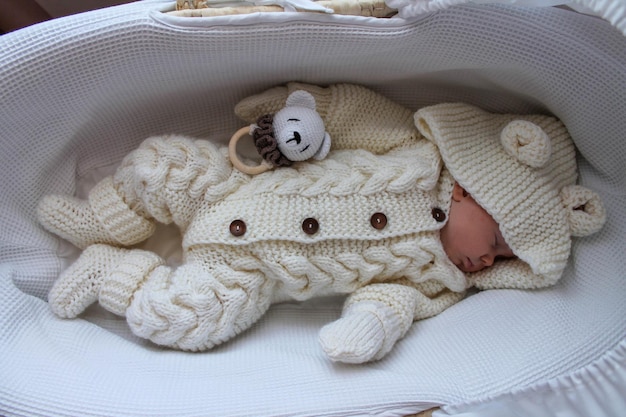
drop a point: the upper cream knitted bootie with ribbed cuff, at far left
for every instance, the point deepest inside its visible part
(104, 218)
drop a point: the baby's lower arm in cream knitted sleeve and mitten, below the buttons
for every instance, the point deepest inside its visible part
(376, 316)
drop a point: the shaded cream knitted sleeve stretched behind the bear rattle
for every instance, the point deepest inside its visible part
(354, 116)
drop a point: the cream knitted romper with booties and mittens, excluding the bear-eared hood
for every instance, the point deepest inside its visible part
(379, 164)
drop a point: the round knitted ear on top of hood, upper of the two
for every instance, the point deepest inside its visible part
(526, 142)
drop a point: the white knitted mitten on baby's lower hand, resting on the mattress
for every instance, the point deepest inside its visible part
(367, 331)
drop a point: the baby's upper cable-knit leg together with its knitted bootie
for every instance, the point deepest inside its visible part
(164, 180)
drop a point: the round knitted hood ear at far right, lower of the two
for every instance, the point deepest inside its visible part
(586, 214)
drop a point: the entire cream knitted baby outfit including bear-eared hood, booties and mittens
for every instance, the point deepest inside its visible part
(364, 221)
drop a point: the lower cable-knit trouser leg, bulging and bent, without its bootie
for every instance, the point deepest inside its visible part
(198, 306)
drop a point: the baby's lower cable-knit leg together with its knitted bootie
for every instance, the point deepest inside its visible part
(193, 307)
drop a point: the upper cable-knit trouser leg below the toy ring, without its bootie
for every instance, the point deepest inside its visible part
(168, 177)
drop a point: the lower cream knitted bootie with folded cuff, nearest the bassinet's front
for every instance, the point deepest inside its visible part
(103, 273)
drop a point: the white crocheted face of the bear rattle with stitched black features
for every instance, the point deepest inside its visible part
(299, 131)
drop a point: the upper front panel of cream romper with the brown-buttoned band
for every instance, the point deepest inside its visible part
(341, 192)
